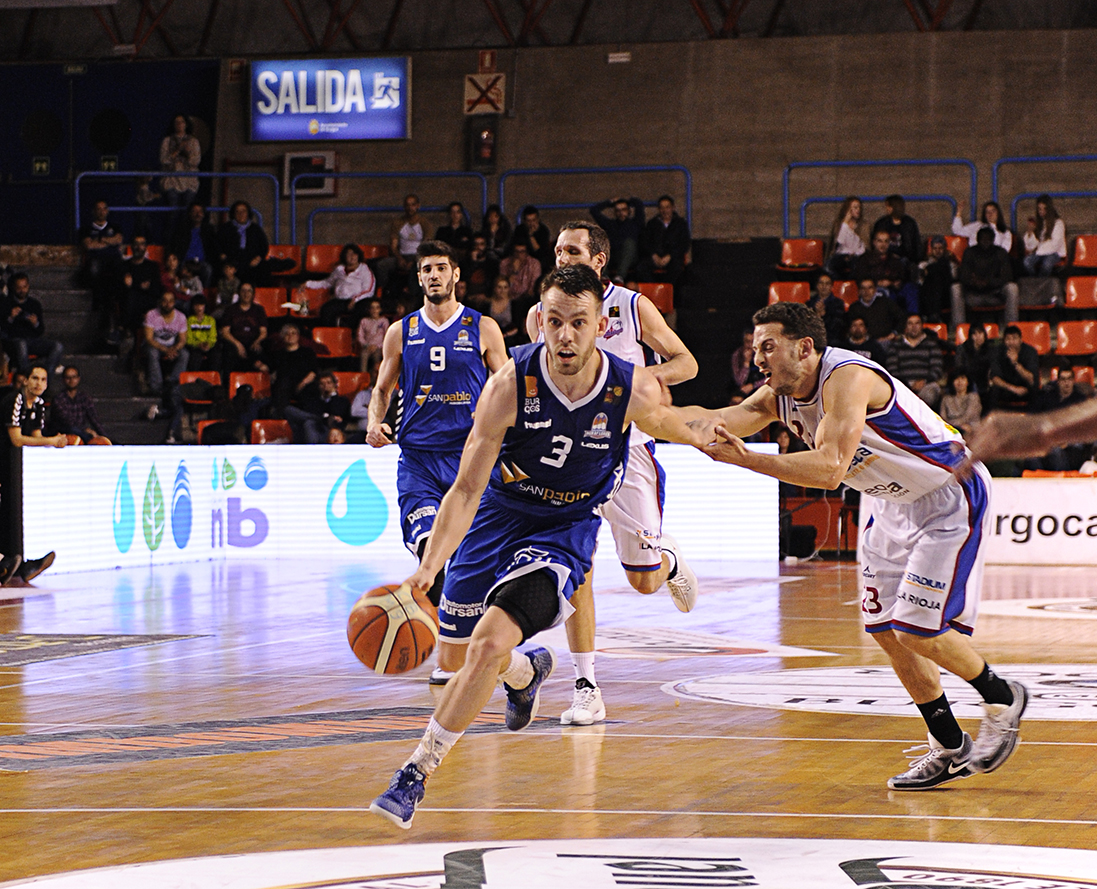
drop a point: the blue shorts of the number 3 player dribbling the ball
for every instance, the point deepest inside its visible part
(505, 544)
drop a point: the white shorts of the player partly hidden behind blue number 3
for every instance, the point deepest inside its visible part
(636, 513)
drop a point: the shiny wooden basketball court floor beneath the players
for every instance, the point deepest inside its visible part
(247, 766)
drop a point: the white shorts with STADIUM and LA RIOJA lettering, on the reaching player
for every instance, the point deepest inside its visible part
(922, 562)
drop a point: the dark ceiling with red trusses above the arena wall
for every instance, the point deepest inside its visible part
(84, 30)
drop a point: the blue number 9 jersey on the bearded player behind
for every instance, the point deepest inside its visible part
(443, 374)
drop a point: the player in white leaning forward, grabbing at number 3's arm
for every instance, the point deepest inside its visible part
(923, 549)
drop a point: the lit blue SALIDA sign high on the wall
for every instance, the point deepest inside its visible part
(332, 99)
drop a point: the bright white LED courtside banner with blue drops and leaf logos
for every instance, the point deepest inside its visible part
(128, 507)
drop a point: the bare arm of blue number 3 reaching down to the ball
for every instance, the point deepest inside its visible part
(496, 412)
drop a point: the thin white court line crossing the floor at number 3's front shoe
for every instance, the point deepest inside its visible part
(517, 811)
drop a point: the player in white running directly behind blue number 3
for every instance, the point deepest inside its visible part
(650, 557)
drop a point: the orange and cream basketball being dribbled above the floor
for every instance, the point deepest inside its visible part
(393, 629)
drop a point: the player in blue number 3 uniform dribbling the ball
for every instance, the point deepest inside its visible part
(549, 444)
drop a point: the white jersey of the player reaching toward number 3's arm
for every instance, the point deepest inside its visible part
(906, 452)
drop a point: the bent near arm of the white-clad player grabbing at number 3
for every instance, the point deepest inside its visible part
(846, 398)
